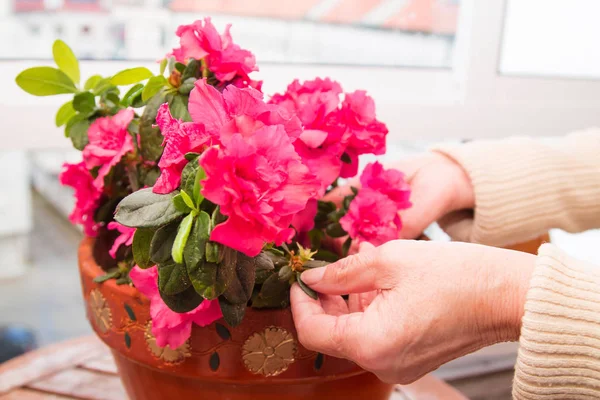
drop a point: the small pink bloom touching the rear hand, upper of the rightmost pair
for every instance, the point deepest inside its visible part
(389, 182)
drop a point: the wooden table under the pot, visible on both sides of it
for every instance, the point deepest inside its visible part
(84, 369)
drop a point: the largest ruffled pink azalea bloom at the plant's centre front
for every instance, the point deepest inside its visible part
(260, 183)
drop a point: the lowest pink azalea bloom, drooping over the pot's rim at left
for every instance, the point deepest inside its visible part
(171, 328)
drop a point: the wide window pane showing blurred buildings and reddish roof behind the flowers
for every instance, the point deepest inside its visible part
(418, 33)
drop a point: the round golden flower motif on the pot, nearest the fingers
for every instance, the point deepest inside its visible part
(269, 352)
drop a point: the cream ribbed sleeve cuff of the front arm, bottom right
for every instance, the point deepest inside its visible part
(559, 355)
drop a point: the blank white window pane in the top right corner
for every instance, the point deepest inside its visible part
(557, 38)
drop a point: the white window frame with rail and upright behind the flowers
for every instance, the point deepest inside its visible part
(470, 100)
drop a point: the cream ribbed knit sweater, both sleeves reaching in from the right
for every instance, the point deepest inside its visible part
(523, 187)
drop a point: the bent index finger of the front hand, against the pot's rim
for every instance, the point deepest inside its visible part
(318, 331)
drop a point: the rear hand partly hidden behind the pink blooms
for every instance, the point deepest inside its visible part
(438, 186)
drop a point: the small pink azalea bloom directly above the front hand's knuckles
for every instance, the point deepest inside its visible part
(372, 217)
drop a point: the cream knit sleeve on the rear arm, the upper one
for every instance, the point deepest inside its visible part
(525, 186)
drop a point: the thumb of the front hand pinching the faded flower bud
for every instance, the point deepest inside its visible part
(357, 273)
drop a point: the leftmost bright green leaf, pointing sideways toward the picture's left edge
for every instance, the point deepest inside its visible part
(45, 81)
